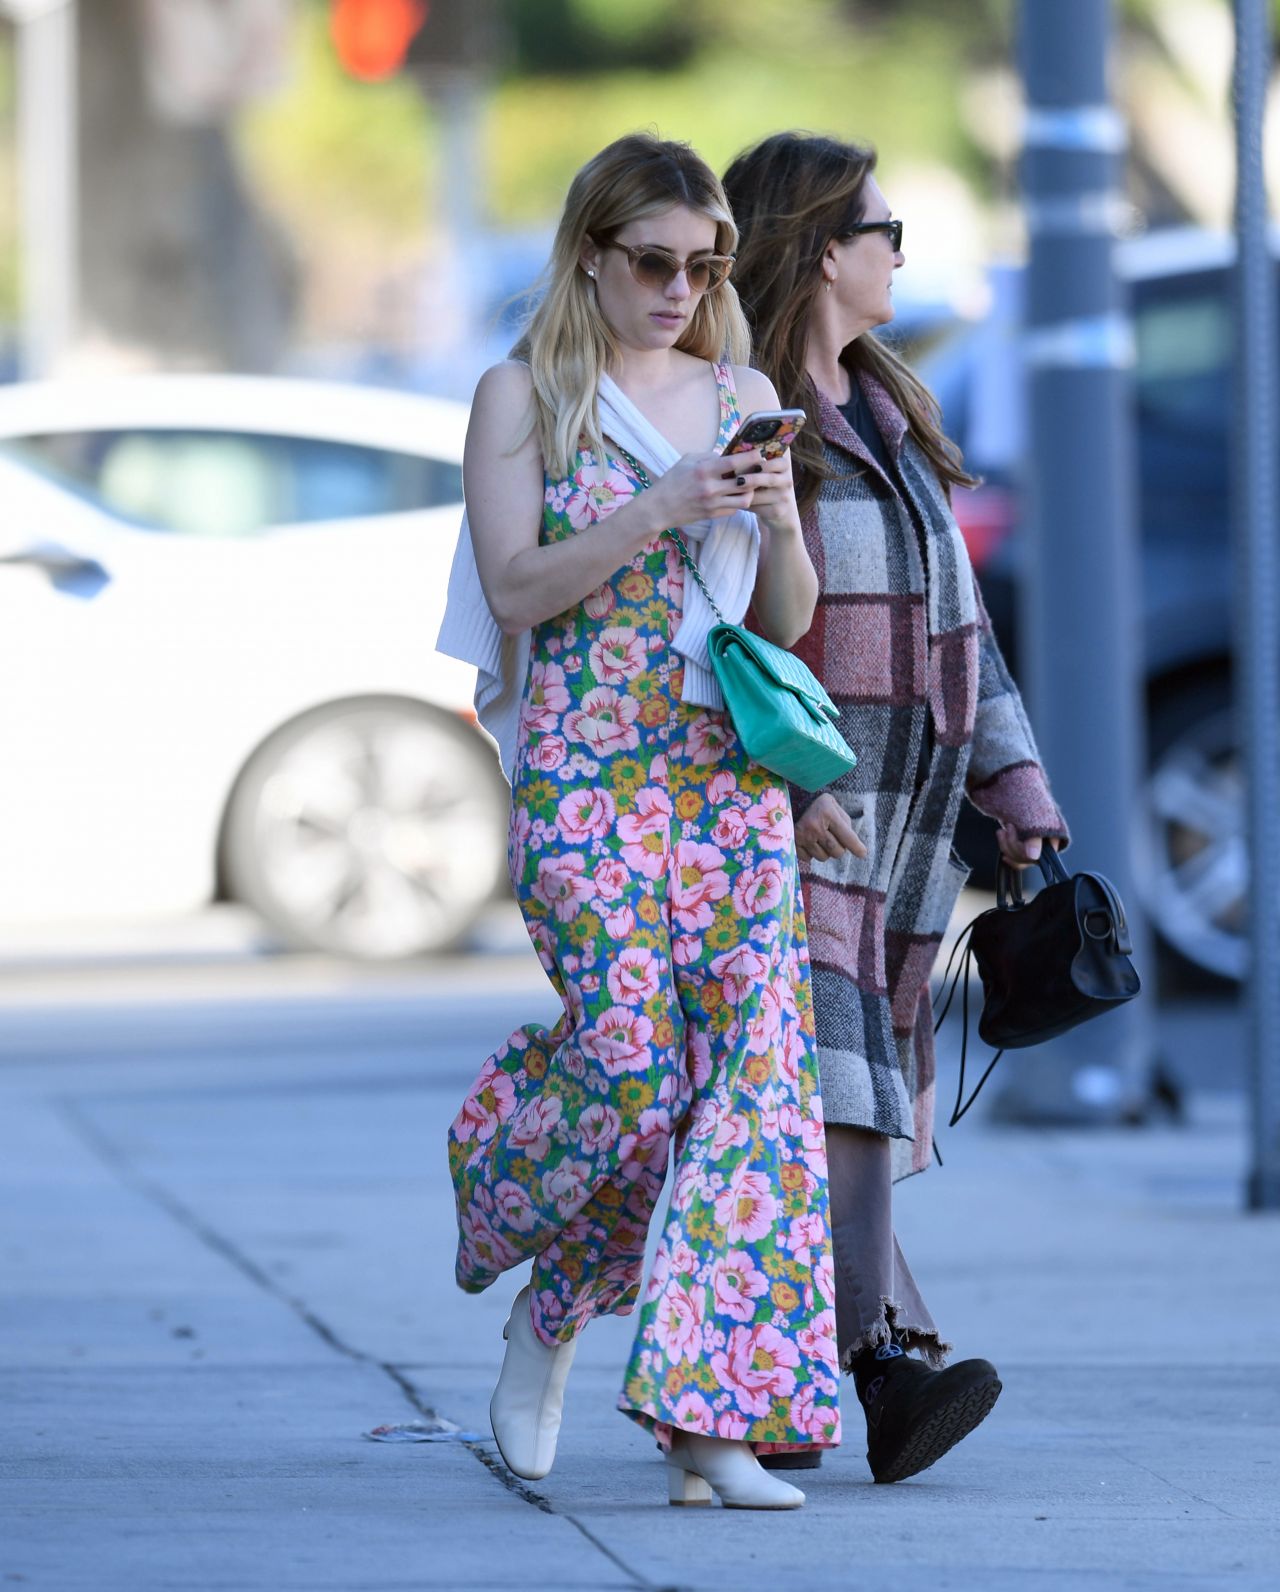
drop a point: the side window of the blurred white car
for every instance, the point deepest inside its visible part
(236, 485)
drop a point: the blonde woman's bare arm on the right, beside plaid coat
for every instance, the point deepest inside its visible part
(787, 588)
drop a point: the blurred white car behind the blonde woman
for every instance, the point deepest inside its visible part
(219, 603)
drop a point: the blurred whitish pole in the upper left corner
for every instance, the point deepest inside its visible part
(47, 142)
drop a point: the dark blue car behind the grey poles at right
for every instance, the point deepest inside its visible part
(1195, 864)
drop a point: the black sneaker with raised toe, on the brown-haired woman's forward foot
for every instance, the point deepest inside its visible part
(915, 1414)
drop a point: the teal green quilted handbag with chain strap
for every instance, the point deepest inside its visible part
(781, 709)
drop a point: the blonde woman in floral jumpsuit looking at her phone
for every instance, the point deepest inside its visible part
(654, 860)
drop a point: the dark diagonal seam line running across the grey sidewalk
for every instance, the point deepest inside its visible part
(178, 1211)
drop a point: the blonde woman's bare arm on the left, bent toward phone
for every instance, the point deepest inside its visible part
(526, 582)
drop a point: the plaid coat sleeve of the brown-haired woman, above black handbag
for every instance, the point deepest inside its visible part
(1005, 779)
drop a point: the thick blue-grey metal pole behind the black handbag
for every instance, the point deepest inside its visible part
(1079, 606)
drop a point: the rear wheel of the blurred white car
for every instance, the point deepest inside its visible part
(372, 829)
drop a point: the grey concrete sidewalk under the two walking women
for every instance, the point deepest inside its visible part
(225, 1260)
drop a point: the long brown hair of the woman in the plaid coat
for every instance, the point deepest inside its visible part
(792, 195)
